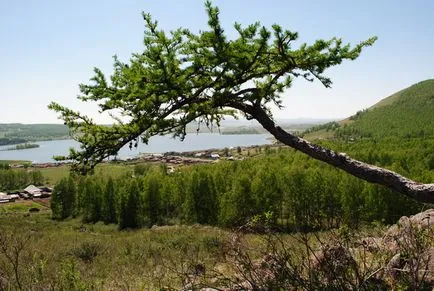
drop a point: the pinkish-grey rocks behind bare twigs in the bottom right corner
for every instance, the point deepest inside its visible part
(404, 253)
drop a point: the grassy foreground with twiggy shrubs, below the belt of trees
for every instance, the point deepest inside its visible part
(38, 253)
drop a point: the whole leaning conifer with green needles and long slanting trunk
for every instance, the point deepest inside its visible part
(182, 77)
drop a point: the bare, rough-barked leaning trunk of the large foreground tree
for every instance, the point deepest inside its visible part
(420, 192)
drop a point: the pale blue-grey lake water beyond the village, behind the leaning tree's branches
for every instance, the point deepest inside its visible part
(157, 144)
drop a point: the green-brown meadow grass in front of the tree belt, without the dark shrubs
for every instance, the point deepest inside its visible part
(69, 255)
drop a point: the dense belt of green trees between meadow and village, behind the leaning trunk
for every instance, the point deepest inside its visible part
(294, 192)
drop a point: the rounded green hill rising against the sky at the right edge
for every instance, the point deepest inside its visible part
(407, 113)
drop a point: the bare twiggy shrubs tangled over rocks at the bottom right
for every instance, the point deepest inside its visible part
(402, 257)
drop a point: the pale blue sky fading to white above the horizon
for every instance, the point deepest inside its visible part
(48, 47)
